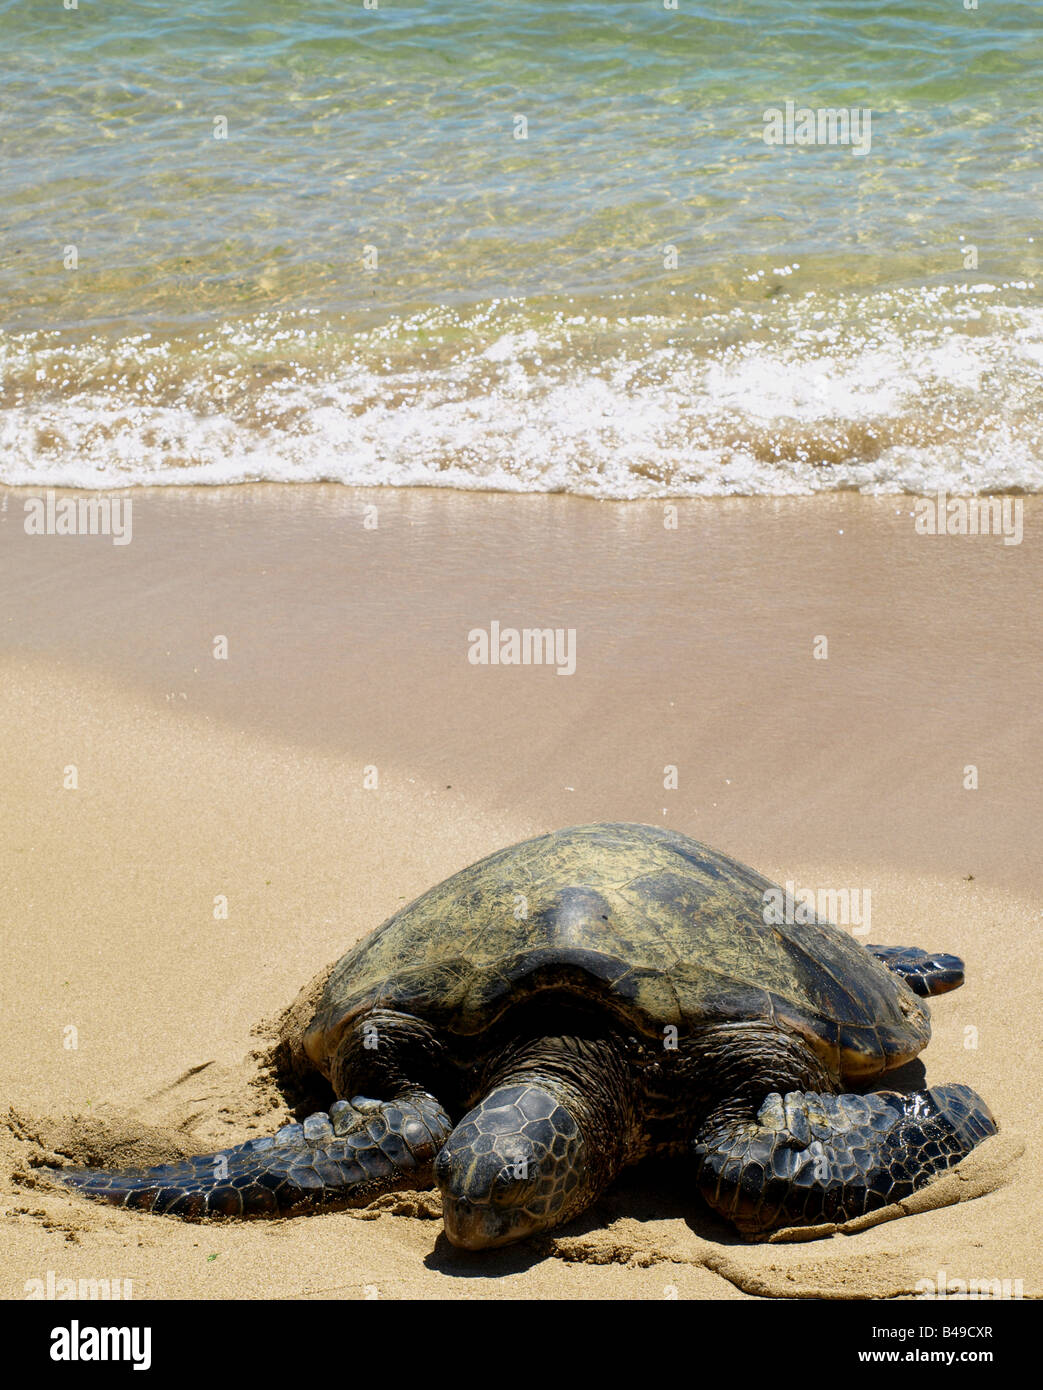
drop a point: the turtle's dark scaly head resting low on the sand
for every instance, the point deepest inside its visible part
(515, 1166)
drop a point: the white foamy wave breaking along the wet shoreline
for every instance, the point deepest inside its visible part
(913, 393)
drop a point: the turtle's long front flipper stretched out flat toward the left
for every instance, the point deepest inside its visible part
(358, 1152)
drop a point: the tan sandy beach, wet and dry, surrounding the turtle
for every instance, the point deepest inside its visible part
(348, 648)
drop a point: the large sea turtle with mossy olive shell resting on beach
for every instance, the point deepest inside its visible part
(572, 1004)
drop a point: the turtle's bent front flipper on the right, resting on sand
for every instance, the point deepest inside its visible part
(810, 1159)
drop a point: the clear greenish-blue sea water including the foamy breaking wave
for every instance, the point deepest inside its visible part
(372, 279)
